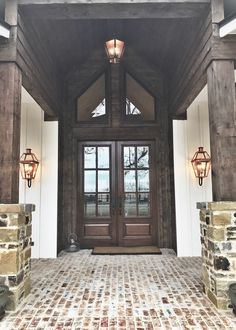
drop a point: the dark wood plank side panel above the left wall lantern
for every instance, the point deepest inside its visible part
(40, 76)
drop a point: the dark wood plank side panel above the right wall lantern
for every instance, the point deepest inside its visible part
(190, 76)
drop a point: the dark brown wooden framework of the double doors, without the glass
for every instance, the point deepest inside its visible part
(115, 222)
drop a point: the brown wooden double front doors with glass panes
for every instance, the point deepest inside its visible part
(116, 192)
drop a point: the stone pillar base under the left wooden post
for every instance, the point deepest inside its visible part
(15, 250)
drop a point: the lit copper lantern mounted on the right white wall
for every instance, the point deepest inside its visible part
(201, 163)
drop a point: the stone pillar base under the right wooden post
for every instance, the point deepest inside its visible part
(218, 239)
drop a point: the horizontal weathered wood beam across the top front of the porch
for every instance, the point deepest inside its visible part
(47, 9)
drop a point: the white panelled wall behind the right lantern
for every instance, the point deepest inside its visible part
(188, 135)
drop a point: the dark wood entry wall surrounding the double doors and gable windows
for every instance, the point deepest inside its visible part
(70, 133)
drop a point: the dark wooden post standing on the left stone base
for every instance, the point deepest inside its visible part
(10, 103)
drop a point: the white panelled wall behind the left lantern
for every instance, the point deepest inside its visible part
(42, 138)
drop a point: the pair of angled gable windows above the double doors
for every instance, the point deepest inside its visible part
(116, 98)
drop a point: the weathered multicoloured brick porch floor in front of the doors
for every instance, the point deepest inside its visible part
(82, 291)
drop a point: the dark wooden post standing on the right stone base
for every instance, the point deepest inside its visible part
(222, 112)
